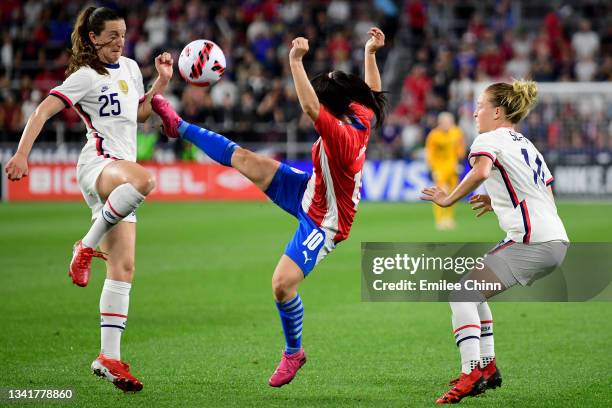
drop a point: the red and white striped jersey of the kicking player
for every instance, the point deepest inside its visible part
(333, 191)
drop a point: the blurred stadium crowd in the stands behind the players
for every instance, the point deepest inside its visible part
(449, 46)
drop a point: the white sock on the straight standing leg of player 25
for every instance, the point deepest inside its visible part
(114, 304)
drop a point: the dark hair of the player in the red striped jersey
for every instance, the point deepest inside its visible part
(337, 90)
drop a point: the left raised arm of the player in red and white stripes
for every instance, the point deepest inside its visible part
(305, 92)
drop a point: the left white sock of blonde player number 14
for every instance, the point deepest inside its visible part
(466, 329)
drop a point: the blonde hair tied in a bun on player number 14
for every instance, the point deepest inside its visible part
(517, 98)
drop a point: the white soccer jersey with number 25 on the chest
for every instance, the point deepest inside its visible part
(108, 104)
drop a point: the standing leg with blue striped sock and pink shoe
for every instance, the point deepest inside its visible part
(285, 281)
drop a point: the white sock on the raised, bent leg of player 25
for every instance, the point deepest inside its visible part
(120, 203)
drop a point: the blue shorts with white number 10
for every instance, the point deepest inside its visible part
(310, 243)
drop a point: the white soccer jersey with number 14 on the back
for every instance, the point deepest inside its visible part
(518, 187)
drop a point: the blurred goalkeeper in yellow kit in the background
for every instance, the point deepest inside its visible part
(444, 149)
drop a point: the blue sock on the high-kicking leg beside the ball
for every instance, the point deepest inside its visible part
(216, 146)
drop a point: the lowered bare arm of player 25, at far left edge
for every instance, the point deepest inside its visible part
(17, 166)
